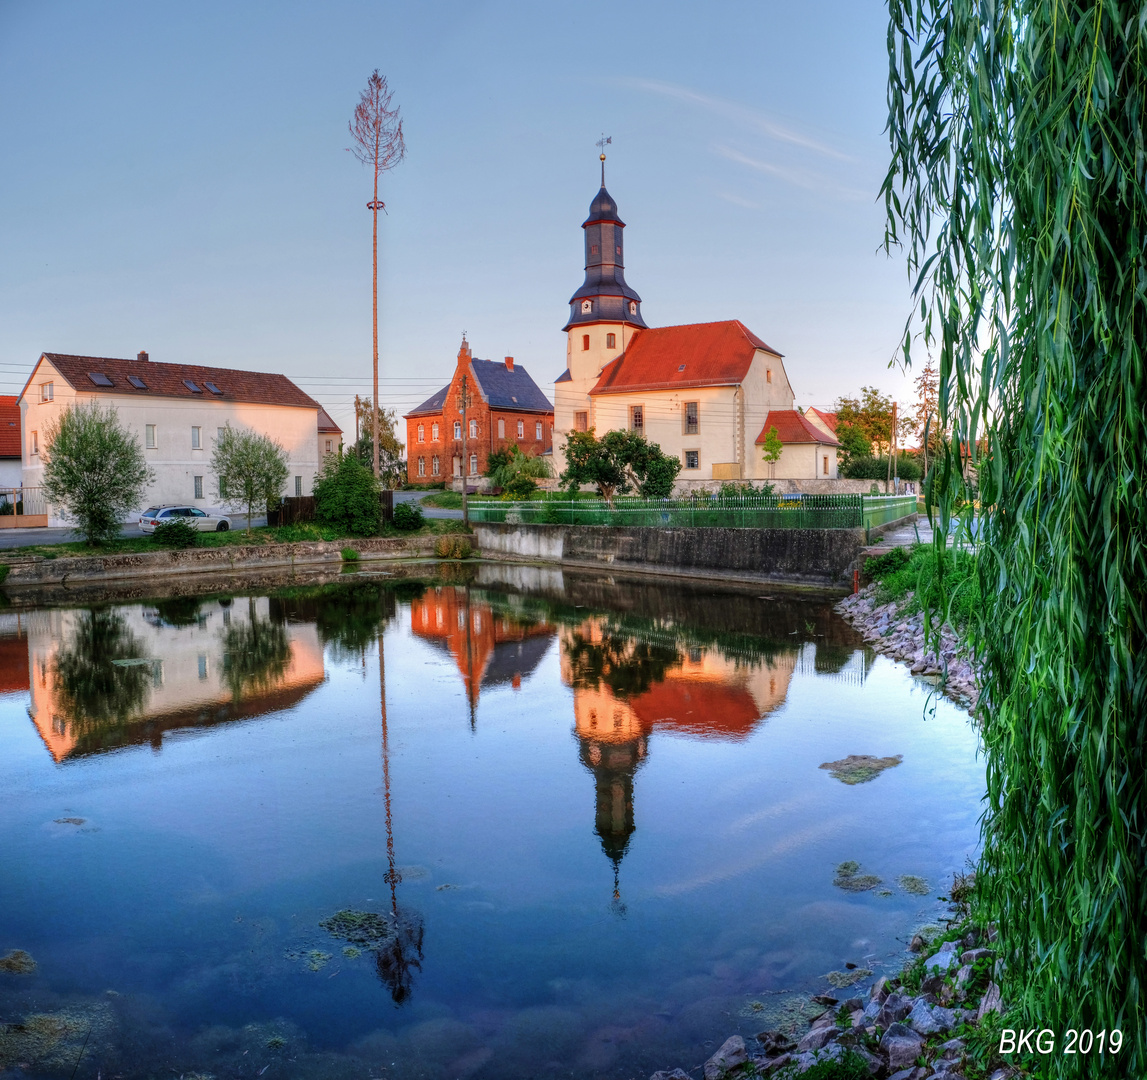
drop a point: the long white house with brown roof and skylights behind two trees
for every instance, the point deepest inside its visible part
(177, 412)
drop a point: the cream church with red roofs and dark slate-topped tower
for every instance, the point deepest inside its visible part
(707, 394)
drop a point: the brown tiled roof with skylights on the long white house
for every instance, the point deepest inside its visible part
(168, 381)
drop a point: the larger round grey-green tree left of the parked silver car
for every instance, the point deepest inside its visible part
(96, 473)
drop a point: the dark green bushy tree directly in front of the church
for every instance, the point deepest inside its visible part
(620, 461)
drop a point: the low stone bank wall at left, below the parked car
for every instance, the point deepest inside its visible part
(32, 573)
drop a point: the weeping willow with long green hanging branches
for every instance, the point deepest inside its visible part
(1017, 190)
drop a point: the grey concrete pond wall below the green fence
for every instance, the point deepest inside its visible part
(797, 557)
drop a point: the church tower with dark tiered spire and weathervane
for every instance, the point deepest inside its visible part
(605, 315)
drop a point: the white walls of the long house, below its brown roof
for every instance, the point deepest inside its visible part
(176, 461)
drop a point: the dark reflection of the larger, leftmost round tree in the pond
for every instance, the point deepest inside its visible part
(102, 674)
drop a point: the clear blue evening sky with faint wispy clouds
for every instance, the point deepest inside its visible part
(175, 178)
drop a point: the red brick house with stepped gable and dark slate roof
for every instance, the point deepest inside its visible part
(506, 410)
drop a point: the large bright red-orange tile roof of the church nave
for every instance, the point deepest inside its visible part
(672, 358)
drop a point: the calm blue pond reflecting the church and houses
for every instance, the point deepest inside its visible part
(502, 825)
